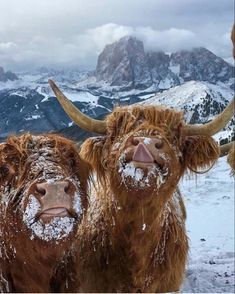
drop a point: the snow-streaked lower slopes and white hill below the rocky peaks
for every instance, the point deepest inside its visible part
(34, 108)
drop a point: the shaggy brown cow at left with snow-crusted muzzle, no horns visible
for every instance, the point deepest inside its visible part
(43, 194)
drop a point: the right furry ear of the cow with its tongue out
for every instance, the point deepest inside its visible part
(200, 152)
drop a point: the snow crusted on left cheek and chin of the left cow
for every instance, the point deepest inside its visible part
(58, 228)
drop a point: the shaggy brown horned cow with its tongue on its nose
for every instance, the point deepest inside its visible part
(133, 238)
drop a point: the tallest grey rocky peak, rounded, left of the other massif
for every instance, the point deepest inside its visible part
(124, 63)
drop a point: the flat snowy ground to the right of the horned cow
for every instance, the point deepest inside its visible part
(210, 223)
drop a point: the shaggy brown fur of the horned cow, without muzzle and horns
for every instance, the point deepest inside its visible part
(118, 254)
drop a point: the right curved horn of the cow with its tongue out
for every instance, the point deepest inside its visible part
(213, 126)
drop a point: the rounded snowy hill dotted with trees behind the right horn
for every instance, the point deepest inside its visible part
(200, 102)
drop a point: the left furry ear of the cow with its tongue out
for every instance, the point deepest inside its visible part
(92, 151)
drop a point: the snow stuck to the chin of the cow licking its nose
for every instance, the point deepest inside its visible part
(137, 175)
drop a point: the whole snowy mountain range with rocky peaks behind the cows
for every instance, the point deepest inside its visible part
(125, 74)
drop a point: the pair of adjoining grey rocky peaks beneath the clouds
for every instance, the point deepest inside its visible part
(125, 63)
